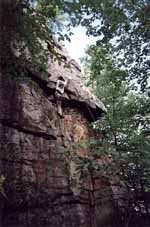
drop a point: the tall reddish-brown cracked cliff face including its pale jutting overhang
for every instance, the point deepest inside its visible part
(40, 117)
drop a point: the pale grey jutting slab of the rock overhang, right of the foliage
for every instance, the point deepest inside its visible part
(70, 72)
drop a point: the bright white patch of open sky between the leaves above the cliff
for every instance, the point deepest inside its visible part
(79, 43)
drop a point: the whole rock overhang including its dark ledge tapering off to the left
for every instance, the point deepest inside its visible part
(75, 92)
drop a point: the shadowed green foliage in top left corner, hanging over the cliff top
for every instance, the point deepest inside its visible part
(32, 23)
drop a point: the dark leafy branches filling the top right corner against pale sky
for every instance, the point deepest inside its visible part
(123, 27)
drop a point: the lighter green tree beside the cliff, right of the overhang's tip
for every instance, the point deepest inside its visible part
(126, 130)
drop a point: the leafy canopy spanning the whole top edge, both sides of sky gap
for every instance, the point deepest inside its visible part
(122, 28)
